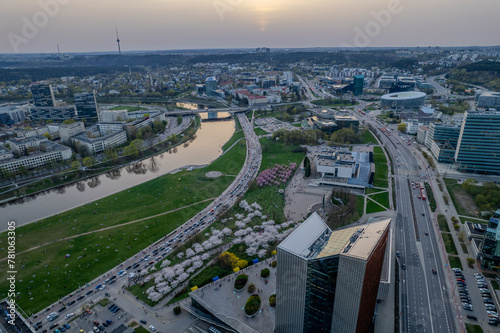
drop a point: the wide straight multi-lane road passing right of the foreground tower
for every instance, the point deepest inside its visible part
(424, 297)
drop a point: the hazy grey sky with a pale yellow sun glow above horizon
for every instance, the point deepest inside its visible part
(38, 26)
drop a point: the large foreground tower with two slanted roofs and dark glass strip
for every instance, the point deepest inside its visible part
(327, 281)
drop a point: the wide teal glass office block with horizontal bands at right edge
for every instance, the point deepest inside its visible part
(478, 147)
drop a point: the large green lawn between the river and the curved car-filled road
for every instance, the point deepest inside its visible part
(45, 274)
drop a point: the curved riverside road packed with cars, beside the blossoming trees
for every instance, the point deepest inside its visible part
(114, 282)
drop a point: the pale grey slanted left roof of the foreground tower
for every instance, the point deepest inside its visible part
(302, 238)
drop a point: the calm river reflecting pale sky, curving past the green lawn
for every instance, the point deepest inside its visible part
(207, 146)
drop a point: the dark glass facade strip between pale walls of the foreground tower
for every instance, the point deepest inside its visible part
(320, 294)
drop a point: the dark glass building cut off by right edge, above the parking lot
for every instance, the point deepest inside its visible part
(490, 251)
